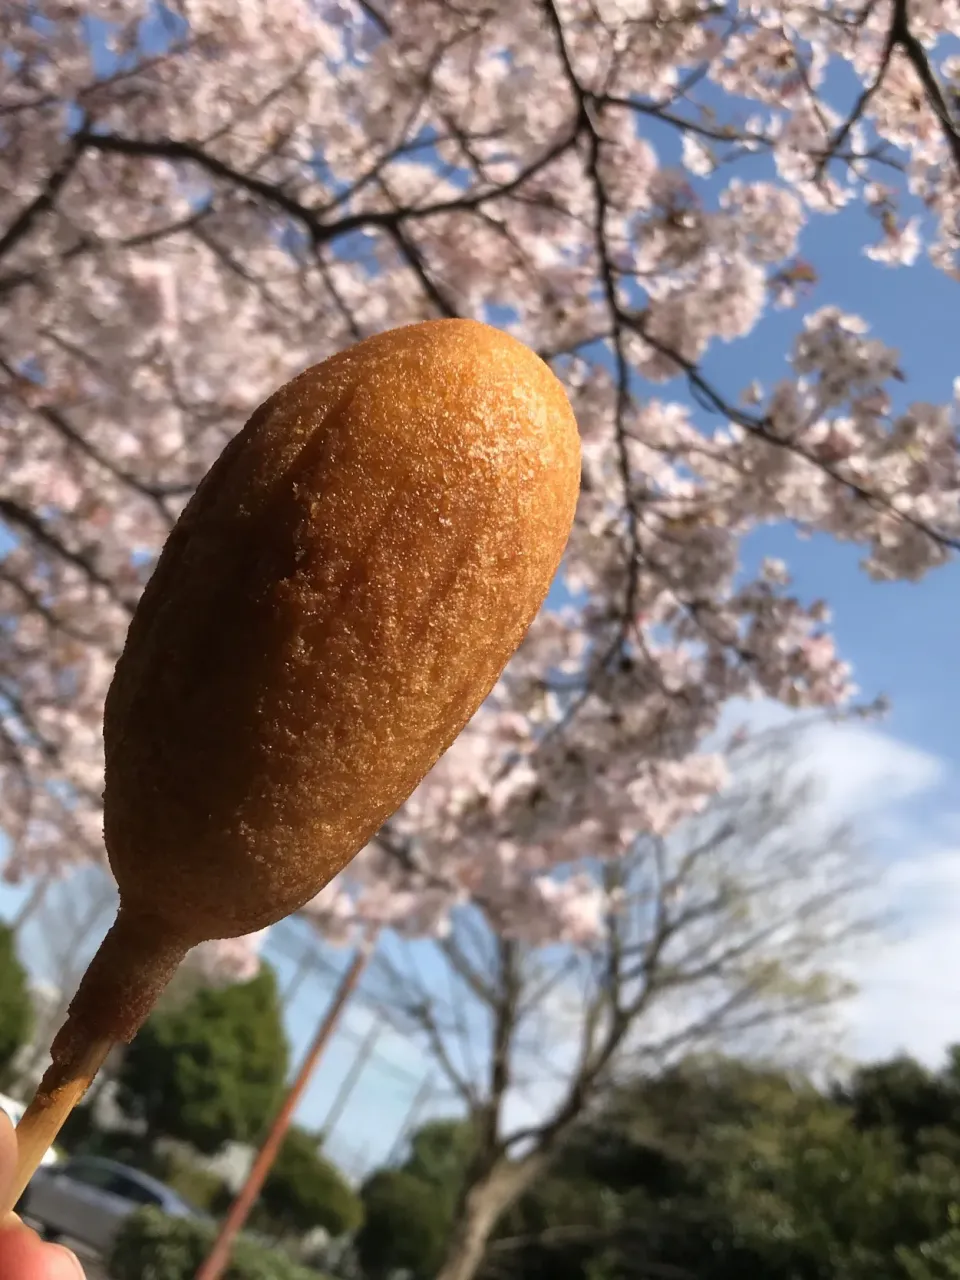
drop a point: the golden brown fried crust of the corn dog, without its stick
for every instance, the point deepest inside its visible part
(335, 605)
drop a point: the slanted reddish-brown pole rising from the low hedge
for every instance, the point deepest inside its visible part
(220, 1256)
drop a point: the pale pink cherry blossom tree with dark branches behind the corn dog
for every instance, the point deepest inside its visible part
(200, 198)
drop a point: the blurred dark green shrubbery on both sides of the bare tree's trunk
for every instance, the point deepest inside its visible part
(712, 1172)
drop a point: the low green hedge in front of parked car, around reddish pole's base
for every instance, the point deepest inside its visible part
(152, 1246)
